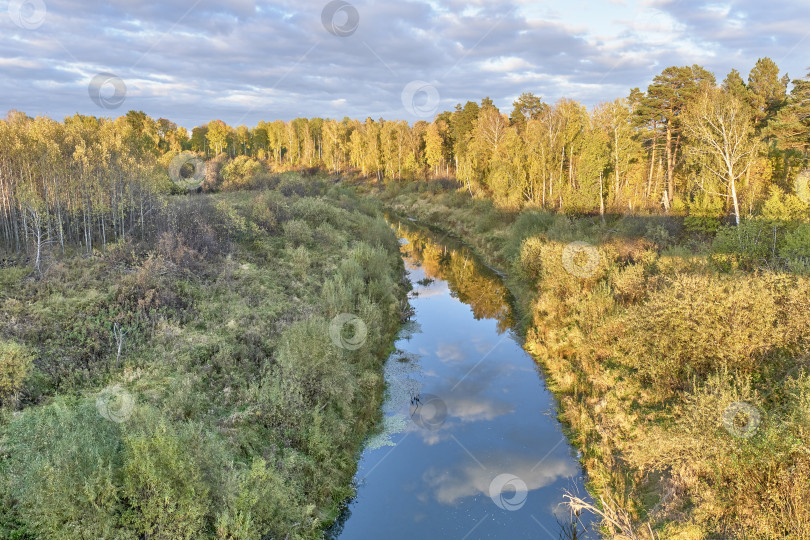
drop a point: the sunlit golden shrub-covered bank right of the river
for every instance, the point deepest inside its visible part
(678, 350)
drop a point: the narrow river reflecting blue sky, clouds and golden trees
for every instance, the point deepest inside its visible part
(471, 447)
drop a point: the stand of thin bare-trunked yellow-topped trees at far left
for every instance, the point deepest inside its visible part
(81, 182)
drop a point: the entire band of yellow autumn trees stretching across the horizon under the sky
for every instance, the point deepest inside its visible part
(687, 144)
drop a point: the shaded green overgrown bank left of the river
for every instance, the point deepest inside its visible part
(197, 384)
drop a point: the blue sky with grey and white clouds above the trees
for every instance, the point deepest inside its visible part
(242, 61)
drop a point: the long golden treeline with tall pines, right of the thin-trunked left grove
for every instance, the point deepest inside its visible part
(687, 143)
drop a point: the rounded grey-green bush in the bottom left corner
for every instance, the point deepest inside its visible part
(63, 468)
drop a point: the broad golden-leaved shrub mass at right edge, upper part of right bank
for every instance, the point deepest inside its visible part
(700, 324)
